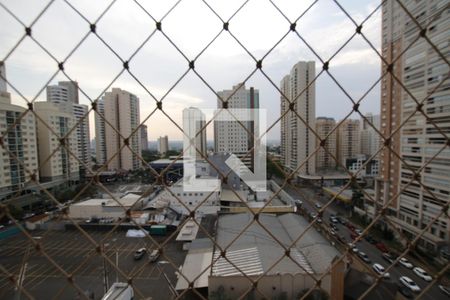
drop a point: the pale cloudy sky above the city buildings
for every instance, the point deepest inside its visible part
(191, 25)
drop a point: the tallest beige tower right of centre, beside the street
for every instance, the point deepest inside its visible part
(297, 140)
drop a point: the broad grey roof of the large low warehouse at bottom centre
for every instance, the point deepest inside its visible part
(255, 251)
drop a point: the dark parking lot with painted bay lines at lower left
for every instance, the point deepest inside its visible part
(75, 254)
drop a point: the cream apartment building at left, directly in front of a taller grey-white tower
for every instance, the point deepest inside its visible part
(56, 163)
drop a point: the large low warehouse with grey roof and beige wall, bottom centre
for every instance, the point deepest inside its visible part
(255, 252)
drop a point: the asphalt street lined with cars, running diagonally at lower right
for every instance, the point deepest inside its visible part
(309, 198)
